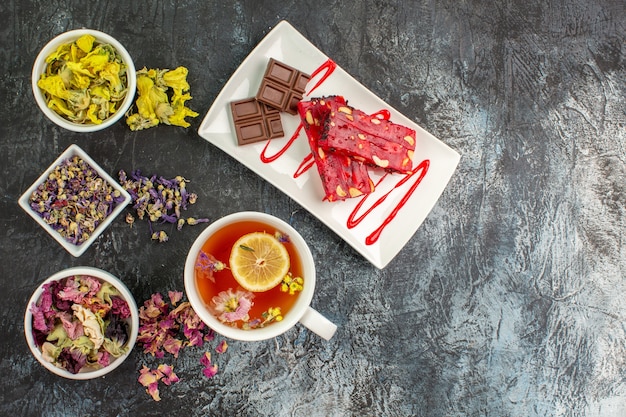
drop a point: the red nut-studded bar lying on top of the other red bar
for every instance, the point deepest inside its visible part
(370, 139)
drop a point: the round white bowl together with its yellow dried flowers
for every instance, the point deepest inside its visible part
(84, 80)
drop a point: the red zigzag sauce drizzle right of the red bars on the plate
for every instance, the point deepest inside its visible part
(353, 220)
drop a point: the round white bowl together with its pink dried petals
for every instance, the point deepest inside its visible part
(81, 323)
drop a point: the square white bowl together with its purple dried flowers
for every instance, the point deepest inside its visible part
(74, 200)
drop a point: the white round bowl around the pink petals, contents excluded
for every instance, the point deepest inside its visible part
(133, 322)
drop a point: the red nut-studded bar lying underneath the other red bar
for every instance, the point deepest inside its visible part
(342, 177)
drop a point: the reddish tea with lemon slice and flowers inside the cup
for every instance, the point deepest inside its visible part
(249, 274)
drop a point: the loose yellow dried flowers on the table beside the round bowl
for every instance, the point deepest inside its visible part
(161, 97)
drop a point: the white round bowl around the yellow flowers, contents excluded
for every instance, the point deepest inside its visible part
(40, 66)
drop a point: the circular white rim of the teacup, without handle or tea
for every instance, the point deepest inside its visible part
(294, 314)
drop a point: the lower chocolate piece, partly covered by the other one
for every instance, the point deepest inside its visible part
(255, 121)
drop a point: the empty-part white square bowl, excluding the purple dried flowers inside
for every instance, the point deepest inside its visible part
(75, 249)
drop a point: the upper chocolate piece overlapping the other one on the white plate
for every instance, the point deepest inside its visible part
(282, 86)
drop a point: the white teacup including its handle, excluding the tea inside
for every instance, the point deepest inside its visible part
(300, 312)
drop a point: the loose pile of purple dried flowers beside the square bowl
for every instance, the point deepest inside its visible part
(160, 201)
